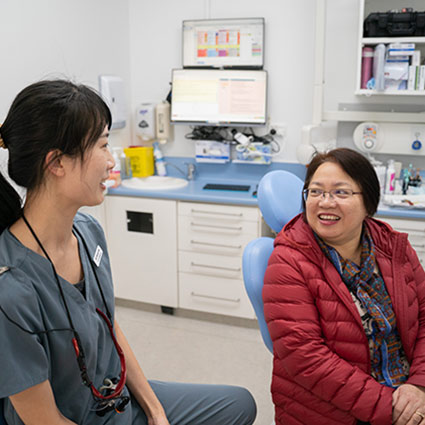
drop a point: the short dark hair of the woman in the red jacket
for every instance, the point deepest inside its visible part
(357, 167)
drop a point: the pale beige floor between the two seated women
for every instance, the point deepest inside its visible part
(193, 347)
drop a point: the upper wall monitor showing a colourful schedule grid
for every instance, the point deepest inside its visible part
(222, 43)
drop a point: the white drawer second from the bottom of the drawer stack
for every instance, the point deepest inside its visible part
(210, 265)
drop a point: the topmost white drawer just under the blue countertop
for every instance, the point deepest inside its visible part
(224, 213)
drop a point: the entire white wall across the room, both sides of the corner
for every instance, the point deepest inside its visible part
(140, 40)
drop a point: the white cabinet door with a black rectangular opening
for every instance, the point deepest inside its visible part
(142, 237)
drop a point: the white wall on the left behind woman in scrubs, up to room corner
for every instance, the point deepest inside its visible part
(76, 39)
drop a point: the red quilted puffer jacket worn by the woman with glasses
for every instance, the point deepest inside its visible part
(321, 370)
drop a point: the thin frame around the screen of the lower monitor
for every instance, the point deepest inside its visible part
(221, 123)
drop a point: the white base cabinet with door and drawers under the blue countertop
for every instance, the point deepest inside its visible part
(189, 257)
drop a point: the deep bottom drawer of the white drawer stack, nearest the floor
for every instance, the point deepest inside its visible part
(214, 295)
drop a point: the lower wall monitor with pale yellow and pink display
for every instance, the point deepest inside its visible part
(219, 97)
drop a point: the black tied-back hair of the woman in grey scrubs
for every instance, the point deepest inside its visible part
(50, 115)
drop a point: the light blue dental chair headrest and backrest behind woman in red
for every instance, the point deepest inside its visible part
(279, 199)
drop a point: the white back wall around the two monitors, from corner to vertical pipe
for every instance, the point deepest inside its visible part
(155, 47)
